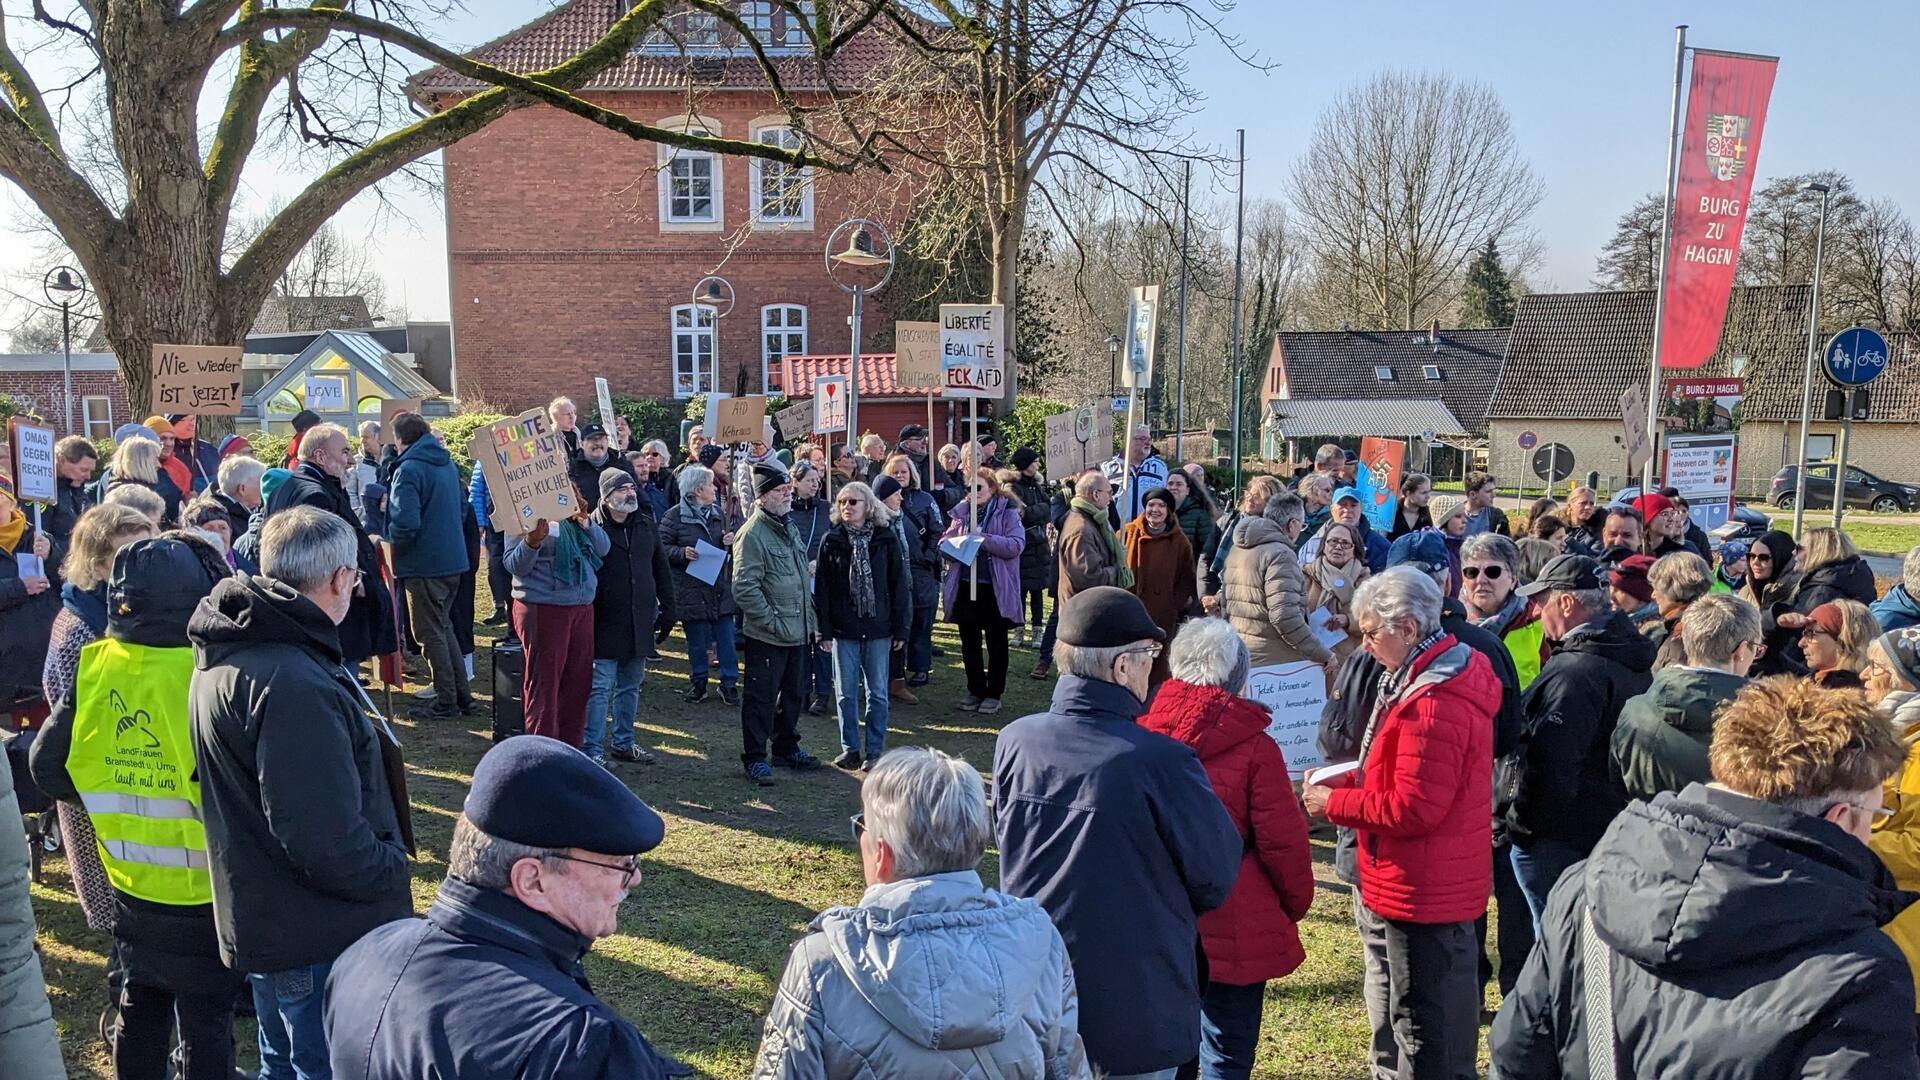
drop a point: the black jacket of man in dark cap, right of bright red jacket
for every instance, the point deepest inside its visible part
(1560, 783)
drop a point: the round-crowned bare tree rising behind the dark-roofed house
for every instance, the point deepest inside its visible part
(1406, 178)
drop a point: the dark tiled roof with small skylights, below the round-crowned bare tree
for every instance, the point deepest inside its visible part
(1341, 366)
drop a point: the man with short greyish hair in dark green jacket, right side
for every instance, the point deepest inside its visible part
(1664, 735)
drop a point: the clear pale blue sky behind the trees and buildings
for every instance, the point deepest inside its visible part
(1587, 84)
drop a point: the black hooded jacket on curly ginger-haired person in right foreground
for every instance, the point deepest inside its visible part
(1744, 945)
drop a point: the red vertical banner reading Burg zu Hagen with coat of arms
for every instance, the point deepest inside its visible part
(1721, 143)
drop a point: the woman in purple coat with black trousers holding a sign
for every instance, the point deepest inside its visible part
(988, 614)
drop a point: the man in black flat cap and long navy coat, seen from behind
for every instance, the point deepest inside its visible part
(1120, 837)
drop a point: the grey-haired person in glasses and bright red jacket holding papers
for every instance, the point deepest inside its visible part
(1422, 810)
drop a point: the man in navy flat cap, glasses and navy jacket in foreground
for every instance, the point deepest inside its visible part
(491, 983)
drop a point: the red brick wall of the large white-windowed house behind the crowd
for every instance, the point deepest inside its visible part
(560, 270)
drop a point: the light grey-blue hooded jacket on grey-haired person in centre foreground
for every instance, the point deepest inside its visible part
(936, 979)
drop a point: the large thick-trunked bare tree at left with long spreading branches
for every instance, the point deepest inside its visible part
(147, 207)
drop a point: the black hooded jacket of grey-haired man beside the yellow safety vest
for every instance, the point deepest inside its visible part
(304, 831)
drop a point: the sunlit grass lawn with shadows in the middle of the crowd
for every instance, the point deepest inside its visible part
(708, 931)
